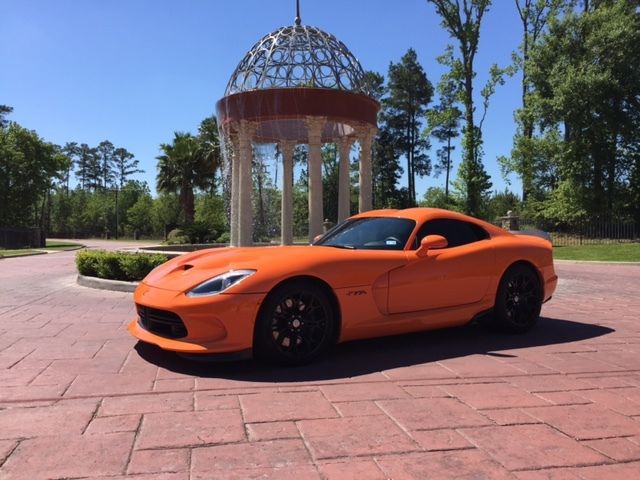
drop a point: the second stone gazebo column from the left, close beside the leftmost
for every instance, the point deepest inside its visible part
(245, 181)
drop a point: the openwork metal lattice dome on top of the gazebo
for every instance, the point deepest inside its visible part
(298, 56)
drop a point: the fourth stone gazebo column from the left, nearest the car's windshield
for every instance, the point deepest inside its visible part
(314, 135)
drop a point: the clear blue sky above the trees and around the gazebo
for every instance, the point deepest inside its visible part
(135, 71)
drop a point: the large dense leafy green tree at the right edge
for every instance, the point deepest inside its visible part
(585, 85)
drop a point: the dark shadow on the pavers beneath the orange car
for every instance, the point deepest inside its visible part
(363, 357)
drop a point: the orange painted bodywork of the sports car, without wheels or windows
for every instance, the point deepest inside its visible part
(378, 292)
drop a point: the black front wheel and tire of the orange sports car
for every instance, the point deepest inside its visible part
(295, 325)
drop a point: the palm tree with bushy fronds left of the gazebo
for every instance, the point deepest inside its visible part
(182, 168)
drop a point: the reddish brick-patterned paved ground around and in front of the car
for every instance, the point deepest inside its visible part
(79, 398)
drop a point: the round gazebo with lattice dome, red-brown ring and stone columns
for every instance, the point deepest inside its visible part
(297, 85)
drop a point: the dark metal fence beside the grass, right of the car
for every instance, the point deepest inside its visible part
(593, 231)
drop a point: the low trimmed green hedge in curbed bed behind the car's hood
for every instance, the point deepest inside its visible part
(117, 265)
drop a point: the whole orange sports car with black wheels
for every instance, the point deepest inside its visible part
(382, 272)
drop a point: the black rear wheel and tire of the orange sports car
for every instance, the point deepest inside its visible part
(518, 301)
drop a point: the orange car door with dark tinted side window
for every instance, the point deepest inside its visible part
(456, 275)
